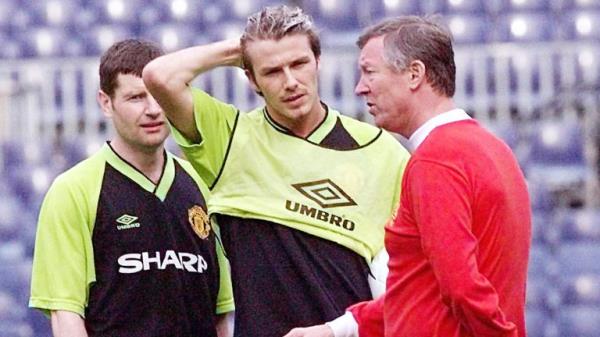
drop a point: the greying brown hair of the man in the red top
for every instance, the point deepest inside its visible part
(412, 38)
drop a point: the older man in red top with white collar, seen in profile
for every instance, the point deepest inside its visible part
(459, 244)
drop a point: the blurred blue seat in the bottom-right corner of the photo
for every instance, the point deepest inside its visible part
(579, 321)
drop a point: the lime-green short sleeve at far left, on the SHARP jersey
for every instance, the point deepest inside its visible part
(63, 266)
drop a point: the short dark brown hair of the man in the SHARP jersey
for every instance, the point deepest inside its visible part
(125, 57)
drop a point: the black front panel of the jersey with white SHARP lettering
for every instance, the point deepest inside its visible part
(155, 276)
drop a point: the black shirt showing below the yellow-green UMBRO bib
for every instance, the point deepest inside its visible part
(284, 278)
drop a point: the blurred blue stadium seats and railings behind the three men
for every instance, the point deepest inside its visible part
(527, 69)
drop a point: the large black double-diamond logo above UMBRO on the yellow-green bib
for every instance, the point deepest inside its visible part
(325, 193)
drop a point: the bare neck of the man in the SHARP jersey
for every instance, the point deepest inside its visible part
(149, 161)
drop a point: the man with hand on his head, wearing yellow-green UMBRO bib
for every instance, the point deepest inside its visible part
(300, 191)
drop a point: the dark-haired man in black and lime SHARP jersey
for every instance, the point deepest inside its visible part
(124, 246)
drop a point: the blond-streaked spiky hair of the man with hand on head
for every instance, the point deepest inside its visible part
(275, 22)
